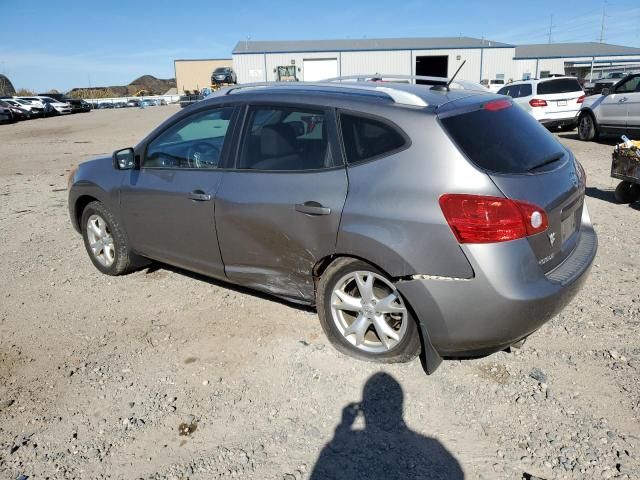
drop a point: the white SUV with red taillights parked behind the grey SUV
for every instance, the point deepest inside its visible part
(554, 101)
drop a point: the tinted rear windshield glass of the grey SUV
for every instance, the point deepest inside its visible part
(507, 140)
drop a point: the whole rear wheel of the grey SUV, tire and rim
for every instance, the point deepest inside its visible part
(367, 344)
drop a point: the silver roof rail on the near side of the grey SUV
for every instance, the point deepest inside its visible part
(397, 96)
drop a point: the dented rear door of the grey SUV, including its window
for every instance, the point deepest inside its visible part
(279, 211)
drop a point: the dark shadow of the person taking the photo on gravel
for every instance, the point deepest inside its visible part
(386, 448)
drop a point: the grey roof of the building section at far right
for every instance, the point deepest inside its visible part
(564, 50)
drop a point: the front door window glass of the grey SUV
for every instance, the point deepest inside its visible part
(195, 142)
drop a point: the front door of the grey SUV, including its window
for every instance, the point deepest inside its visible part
(168, 204)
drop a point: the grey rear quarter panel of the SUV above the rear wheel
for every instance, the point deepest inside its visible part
(392, 217)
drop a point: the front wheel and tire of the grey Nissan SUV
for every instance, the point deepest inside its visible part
(116, 259)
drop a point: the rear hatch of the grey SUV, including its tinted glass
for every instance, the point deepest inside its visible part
(526, 163)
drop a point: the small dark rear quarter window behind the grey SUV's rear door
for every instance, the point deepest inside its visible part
(365, 138)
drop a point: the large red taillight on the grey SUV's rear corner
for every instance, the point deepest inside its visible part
(486, 219)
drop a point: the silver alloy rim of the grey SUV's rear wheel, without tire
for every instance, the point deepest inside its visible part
(369, 312)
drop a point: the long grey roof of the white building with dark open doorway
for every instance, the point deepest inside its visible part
(363, 44)
